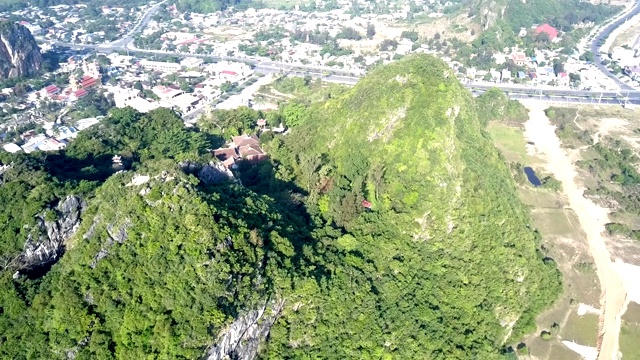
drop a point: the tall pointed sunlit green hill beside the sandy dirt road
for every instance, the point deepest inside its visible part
(444, 263)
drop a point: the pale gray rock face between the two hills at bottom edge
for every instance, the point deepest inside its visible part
(242, 339)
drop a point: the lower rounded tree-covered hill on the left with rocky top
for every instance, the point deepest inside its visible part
(158, 268)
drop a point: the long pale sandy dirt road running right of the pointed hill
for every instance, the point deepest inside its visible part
(592, 219)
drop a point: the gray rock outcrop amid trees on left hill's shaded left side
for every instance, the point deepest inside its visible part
(49, 244)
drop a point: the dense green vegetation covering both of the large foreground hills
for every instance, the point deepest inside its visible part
(439, 262)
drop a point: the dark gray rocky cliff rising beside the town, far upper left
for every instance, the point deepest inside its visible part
(19, 52)
